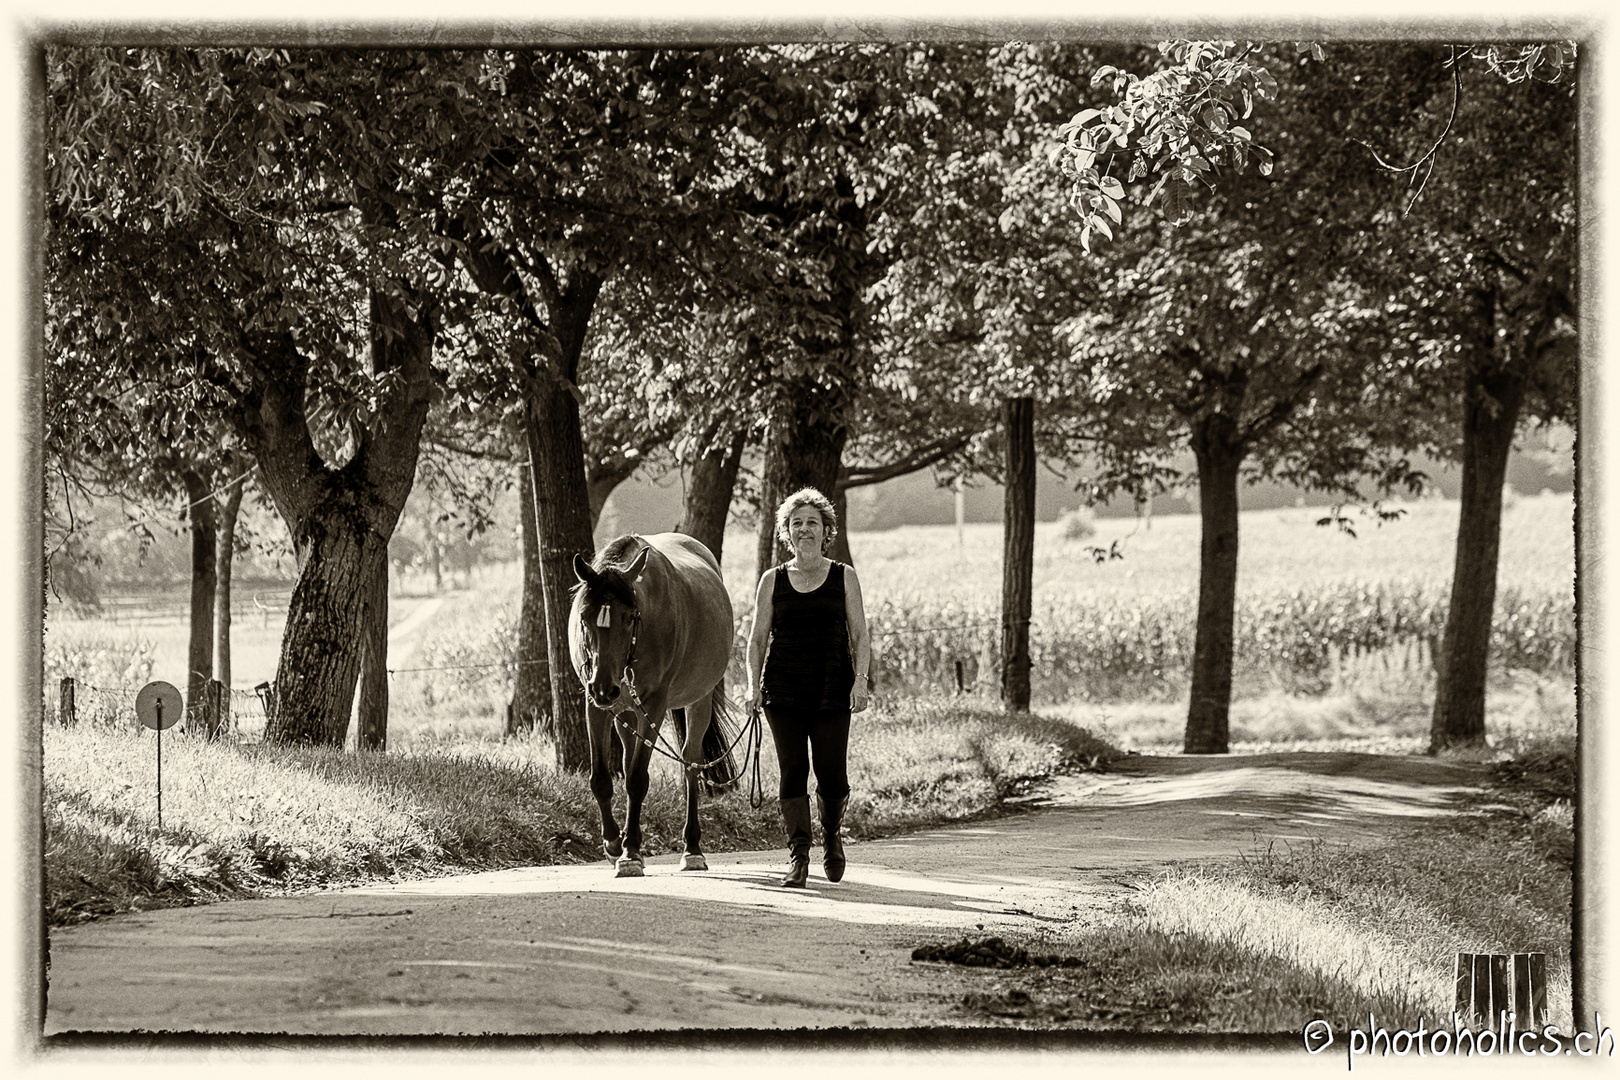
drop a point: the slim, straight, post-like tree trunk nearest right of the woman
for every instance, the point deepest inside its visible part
(1018, 555)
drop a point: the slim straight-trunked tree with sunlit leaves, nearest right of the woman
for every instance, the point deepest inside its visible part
(979, 294)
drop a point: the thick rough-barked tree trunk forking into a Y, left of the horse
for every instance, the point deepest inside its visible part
(341, 519)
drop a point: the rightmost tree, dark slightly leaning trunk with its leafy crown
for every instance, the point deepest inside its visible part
(1486, 336)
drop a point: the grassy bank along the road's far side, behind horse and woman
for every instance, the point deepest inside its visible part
(247, 820)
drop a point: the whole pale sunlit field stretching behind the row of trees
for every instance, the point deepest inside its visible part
(1336, 632)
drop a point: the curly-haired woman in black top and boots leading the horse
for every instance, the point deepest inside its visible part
(808, 668)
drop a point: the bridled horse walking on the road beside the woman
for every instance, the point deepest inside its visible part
(650, 631)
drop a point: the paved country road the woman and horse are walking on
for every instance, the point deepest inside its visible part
(563, 950)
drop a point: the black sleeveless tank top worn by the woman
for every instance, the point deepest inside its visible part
(808, 665)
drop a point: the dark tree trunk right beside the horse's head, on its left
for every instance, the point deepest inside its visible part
(563, 511)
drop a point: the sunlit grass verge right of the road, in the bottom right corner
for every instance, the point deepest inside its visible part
(1289, 935)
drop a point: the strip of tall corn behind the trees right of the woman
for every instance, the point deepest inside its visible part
(1141, 648)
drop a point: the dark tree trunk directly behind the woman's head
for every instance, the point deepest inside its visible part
(804, 449)
